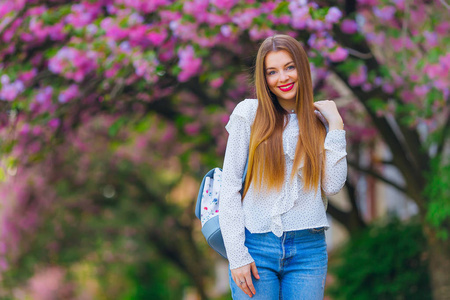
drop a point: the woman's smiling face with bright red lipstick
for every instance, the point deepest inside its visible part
(281, 76)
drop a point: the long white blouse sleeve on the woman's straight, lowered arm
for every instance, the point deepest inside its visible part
(230, 205)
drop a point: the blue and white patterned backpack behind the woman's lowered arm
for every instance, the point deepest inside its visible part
(207, 208)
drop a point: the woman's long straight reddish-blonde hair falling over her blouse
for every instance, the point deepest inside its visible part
(266, 160)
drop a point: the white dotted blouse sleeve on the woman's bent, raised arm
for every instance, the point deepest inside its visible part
(336, 162)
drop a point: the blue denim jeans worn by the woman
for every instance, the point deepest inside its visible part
(293, 266)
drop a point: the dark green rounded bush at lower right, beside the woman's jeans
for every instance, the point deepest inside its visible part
(386, 261)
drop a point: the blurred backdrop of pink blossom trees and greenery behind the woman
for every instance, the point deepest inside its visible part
(112, 111)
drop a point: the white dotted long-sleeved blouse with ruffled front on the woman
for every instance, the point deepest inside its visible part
(290, 209)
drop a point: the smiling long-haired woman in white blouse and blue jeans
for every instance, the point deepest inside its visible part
(274, 233)
